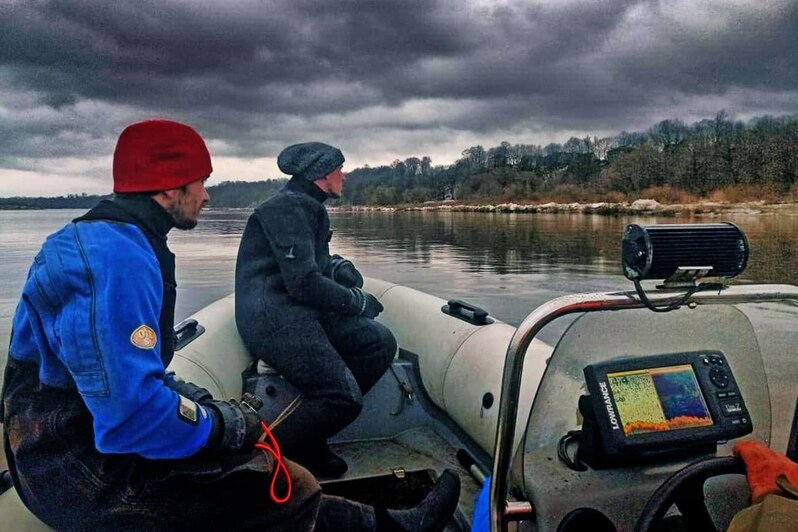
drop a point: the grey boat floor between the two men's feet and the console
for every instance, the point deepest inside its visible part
(398, 472)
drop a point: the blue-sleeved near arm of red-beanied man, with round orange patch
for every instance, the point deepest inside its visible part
(110, 335)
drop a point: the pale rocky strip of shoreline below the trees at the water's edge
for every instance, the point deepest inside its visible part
(641, 206)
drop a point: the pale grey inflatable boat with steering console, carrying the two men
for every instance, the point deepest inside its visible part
(626, 422)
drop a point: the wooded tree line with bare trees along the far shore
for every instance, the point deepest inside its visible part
(671, 161)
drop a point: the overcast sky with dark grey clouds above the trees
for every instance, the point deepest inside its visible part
(381, 79)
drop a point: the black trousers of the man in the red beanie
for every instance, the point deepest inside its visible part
(69, 485)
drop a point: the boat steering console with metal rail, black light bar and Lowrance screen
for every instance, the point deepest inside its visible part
(644, 395)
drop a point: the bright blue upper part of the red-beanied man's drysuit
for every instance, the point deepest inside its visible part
(93, 285)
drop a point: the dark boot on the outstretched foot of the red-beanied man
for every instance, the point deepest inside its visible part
(431, 515)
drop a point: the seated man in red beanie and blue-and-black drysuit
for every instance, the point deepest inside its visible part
(96, 433)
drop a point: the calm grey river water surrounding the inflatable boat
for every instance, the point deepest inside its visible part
(506, 263)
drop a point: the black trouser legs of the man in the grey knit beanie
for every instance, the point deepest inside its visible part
(333, 362)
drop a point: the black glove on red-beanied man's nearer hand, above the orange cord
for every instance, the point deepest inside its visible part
(236, 426)
